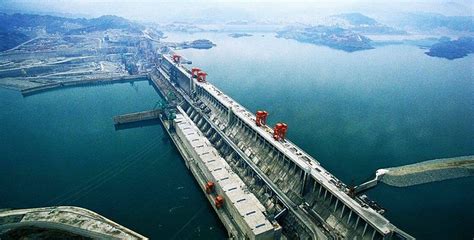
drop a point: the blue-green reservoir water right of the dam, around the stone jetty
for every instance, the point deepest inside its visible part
(357, 112)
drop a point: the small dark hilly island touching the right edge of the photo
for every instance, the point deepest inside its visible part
(452, 49)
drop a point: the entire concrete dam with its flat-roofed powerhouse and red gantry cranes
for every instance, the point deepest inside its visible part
(261, 185)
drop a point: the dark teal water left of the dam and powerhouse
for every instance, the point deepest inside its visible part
(61, 147)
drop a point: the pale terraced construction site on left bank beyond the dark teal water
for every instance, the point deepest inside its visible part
(54, 60)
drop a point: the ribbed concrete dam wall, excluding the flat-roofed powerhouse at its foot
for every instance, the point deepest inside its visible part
(281, 175)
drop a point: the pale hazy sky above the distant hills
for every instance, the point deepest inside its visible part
(220, 10)
